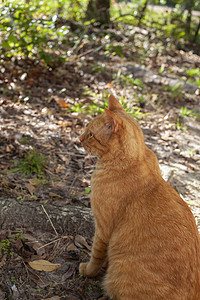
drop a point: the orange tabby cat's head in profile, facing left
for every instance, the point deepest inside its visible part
(113, 134)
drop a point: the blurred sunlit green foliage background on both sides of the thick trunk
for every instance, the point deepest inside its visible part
(42, 29)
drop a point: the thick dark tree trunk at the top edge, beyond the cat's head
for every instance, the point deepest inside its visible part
(99, 10)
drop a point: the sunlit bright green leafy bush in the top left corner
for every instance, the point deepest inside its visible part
(25, 32)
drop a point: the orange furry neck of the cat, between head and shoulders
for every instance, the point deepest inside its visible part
(144, 174)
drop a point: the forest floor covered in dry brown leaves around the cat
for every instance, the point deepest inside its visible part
(43, 111)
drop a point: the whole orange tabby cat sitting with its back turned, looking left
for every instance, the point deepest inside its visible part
(143, 229)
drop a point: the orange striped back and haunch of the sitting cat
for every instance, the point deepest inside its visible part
(156, 242)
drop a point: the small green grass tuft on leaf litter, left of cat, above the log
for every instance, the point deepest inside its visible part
(33, 163)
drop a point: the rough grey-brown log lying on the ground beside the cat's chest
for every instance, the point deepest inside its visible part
(30, 215)
